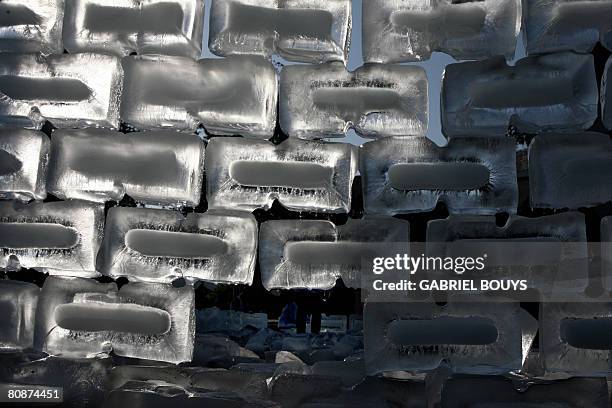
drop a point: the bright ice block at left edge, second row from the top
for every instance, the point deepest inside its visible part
(69, 90)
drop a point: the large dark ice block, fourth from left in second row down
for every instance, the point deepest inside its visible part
(556, 92)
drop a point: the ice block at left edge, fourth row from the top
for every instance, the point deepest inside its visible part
(57, 237)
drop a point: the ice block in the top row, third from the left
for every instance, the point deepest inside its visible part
(298, 30)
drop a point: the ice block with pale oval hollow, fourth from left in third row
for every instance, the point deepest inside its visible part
(470, 175)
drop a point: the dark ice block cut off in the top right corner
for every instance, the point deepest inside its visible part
(567, 25)
